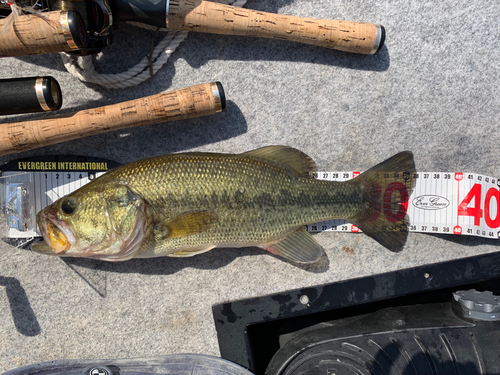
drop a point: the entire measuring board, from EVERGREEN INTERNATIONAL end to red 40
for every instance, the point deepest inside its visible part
(449, 203)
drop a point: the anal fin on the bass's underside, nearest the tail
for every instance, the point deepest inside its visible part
(299, 247)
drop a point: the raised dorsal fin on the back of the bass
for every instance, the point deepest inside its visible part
(285, 156)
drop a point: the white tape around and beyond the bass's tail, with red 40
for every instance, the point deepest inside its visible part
(442, 202)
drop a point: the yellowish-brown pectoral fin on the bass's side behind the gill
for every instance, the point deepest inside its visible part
(187, 224)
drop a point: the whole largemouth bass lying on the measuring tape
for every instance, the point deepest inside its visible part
(189, 203)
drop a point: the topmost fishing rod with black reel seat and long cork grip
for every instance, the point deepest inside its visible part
(209, 17)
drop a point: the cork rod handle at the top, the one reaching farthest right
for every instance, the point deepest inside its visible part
(211, 17)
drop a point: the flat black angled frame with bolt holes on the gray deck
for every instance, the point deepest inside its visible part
(250, 332)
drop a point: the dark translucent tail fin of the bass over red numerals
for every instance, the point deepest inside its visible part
(386, 191)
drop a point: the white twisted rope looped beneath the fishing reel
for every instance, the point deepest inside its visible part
(83, 68)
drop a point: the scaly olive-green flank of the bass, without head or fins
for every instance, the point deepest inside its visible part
(255, 201)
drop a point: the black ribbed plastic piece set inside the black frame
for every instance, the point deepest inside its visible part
(420, 339)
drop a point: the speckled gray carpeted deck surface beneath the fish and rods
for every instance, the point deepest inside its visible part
(433, 89)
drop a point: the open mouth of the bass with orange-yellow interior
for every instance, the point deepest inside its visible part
(56, 234)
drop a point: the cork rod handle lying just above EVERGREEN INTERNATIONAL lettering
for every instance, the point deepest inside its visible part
(190, 102)
